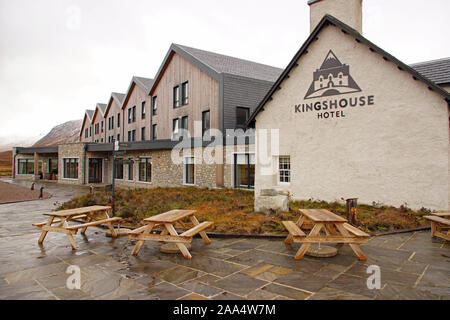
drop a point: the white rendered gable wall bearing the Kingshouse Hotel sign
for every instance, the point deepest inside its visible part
(393, 152)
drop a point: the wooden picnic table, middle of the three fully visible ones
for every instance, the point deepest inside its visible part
(167, 220)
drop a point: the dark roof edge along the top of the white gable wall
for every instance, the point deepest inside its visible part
(330, 20)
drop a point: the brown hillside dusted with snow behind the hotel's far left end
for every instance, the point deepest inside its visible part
(64, 133)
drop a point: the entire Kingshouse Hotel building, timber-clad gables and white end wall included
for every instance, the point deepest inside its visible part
(345, 119)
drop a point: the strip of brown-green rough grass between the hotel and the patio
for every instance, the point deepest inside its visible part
(231, 210)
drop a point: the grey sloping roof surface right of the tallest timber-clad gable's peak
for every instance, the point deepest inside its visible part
(226, 64)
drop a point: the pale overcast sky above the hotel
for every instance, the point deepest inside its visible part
(59, 57)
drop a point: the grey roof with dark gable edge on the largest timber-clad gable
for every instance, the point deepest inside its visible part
(215, 64)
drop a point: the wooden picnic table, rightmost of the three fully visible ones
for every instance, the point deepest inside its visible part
(335, 229)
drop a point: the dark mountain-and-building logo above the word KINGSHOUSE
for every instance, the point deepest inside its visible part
(332, 78)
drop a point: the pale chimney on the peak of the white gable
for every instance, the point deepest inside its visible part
(348, 11)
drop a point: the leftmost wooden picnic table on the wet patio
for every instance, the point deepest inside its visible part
(92, 216)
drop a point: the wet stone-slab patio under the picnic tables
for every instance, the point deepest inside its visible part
(412, 265)
